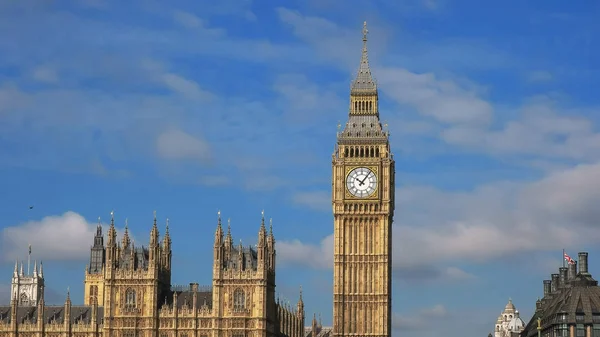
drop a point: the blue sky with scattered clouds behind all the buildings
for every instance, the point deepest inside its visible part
(192, 108)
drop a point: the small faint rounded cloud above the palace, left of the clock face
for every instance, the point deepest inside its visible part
(176, 144)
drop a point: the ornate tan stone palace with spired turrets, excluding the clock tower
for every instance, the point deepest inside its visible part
(128, 293)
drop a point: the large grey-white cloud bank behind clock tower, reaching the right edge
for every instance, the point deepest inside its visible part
(493, 221)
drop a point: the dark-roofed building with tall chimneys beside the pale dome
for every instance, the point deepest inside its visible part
(570, 306)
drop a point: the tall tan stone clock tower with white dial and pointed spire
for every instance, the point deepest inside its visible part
(363, 209)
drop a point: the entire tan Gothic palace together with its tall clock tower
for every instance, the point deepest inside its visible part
(128, 291)
